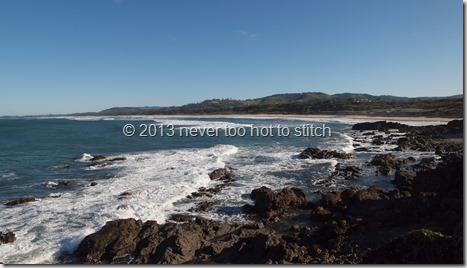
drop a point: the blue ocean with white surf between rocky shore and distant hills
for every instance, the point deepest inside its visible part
(165, 160)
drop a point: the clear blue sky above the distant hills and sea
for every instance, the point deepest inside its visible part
(69, 56)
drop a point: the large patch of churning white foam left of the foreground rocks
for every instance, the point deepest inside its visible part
(156, 180)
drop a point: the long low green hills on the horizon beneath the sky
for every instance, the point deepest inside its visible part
(310, 103)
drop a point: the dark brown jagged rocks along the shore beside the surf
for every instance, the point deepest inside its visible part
(418, 222)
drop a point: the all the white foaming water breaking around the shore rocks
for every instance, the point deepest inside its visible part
(159, 182)
